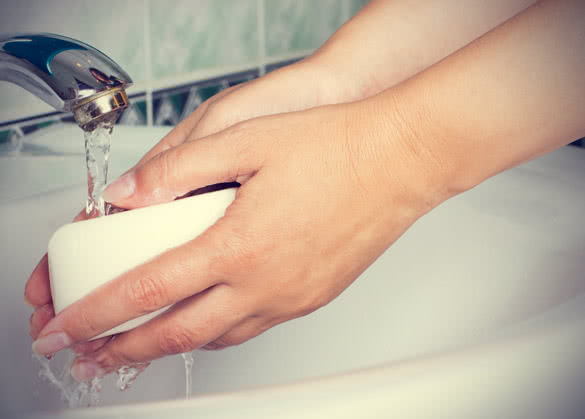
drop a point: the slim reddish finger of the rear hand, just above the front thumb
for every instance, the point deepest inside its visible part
(182, 131)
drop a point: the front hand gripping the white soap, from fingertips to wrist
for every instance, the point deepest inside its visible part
(324, 192)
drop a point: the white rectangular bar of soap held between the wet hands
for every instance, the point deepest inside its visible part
(87, 254)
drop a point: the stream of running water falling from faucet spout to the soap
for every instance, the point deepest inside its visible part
(97, 153)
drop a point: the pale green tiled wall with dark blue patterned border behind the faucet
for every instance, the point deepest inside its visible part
(178, 52)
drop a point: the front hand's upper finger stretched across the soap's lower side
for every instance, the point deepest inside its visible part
(166, 279)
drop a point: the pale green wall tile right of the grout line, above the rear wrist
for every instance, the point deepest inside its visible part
(293, 25)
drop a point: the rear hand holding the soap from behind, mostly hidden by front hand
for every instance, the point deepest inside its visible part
(299, 86)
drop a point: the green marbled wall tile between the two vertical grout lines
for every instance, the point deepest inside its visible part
(191, 35)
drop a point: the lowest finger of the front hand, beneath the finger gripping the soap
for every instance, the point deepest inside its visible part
(183, 328)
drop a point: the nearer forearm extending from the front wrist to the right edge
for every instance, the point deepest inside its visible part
(514, 94)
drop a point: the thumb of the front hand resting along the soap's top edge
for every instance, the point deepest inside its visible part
(227, 156)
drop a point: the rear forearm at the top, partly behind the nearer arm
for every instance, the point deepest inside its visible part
(390, 41)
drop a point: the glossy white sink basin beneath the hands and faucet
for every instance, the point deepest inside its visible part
(506, 259)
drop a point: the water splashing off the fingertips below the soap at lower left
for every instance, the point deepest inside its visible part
(74, 394)
